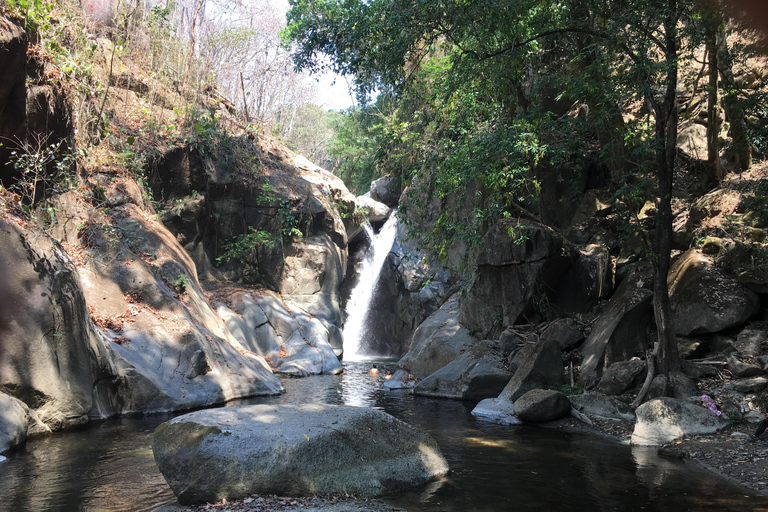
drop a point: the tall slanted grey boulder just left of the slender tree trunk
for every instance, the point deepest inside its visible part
(620, 331)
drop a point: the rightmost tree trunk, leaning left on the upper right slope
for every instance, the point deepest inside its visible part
(738, 127)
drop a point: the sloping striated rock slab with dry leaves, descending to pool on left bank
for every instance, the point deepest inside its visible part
(170, 348)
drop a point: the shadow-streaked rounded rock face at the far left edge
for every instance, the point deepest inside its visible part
(51, 355)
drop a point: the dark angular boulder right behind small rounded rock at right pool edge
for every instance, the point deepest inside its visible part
(538, 365)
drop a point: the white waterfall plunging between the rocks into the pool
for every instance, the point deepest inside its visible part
(355, 331)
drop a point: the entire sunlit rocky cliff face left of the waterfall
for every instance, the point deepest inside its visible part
(115, 298)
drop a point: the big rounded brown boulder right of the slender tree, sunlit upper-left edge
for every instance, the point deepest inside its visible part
(704, 300)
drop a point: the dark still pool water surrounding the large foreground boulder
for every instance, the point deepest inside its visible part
(109, 466)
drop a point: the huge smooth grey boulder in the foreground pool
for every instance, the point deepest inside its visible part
(234, 452)
